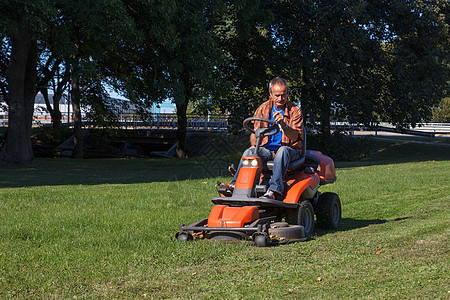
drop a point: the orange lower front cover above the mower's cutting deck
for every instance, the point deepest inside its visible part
(227, 216)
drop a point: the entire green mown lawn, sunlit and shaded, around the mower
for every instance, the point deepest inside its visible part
(105, 229)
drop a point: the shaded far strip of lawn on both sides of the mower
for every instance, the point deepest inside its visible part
(212, 161)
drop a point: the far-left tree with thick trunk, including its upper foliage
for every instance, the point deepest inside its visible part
(22, 22)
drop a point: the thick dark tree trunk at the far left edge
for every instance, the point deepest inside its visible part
(21, 76)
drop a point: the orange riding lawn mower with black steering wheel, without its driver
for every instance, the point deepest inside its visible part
(241, 215)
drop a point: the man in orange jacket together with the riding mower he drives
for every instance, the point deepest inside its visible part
(276, 179)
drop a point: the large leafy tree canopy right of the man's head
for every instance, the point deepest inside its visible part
(363, 60)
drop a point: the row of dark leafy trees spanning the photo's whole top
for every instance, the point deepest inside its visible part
(360, 61)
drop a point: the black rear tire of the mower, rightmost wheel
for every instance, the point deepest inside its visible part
(329, 211)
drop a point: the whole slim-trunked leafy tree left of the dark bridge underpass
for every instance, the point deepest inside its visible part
(83, 35)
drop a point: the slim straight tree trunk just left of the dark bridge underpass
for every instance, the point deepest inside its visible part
(77, 128)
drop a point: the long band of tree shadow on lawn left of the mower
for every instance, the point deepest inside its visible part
(50, 172)
